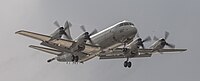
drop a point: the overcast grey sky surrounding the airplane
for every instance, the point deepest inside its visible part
(152, 17)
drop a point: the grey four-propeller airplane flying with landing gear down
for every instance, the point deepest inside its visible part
(120, 40)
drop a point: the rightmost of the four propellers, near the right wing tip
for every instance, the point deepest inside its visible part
(164, 42)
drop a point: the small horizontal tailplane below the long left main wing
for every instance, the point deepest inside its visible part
(47, 50)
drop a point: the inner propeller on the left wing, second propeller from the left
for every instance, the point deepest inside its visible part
(87, 34)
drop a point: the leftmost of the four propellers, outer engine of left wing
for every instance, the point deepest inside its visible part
(64, 29)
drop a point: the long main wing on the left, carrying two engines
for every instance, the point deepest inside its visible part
(62, 43)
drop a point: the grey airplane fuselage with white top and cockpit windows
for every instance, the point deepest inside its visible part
(115, 35)
